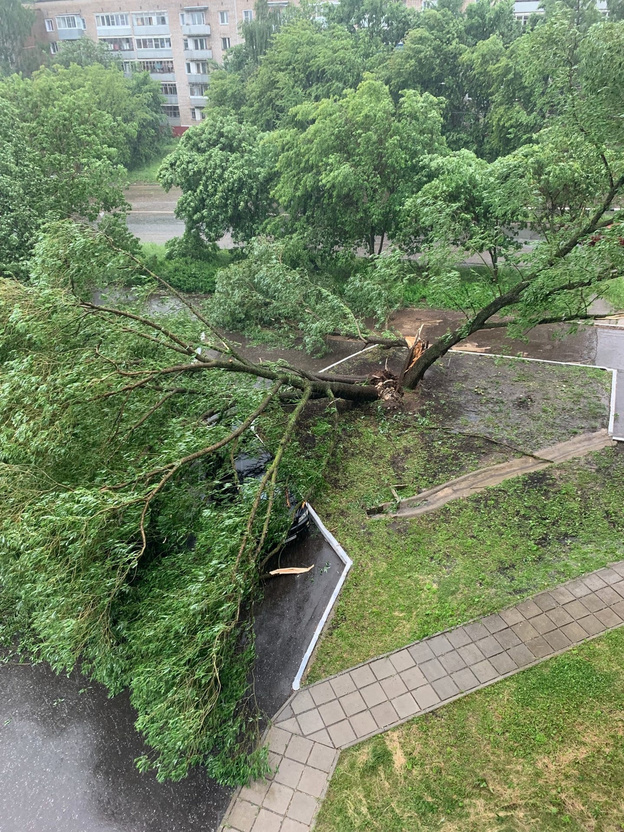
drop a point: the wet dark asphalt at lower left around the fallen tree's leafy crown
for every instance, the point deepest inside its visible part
(67, 751)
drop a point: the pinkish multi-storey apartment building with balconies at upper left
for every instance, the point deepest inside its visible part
(177, 44)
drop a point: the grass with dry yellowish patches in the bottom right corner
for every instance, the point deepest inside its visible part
(542, 751)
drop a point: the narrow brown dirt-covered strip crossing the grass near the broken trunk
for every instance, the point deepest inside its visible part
(483, 478)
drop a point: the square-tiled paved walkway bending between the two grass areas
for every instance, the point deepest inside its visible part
(319, 720)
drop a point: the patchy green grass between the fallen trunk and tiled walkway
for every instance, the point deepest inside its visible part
(415, 577)
